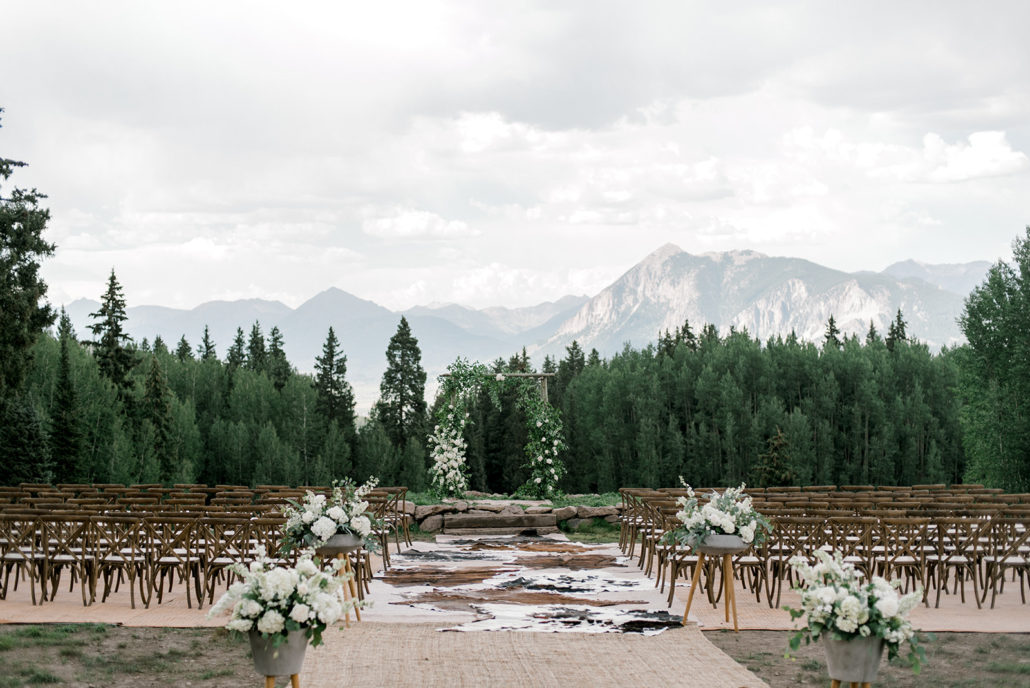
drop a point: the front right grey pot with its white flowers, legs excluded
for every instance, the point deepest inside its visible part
(856, 618)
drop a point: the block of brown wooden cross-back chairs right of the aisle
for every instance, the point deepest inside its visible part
(931, 551)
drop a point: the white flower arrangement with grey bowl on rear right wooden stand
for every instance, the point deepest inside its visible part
(726, 524)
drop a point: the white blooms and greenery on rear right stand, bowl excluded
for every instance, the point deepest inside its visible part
(729, 513)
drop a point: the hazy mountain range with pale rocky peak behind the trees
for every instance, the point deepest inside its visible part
(767, 295)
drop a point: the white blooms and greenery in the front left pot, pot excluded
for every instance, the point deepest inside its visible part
(278, 602)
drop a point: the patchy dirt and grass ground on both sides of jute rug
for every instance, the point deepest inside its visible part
(95, 656)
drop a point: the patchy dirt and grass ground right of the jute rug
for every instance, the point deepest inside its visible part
(954, 661)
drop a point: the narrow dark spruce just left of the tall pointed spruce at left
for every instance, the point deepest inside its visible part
(66, 433)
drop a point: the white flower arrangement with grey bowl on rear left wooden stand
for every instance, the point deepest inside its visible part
(342, 518)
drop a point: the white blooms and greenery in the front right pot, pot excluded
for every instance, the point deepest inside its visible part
(837, 600)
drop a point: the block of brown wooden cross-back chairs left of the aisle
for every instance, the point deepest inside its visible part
(154, 544)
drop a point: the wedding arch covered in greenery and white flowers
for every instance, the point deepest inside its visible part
(461, 386)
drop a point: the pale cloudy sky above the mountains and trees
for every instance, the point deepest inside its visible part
(507, 154)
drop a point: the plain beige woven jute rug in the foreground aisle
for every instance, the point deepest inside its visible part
(420, 655)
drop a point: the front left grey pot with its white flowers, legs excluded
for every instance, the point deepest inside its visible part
(284, 609)
